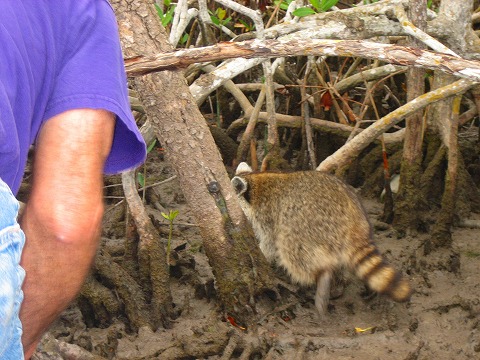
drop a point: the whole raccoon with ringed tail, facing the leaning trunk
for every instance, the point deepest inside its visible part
(311, 223)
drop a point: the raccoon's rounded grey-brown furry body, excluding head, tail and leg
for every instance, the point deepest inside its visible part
(310, 219)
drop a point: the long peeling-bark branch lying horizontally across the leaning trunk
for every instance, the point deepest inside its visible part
(394, 54)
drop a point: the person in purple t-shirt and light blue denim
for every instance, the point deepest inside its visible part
(63, 89)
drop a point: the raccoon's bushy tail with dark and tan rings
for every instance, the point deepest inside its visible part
(371, 267)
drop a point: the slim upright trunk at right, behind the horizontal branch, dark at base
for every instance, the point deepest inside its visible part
(407, 212)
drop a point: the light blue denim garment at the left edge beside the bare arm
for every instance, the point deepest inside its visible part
(12, 274)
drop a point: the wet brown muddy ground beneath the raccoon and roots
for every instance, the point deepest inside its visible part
(440, 322)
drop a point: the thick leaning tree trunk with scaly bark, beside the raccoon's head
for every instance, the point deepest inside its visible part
(240, 269)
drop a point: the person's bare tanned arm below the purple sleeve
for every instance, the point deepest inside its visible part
(63, 215)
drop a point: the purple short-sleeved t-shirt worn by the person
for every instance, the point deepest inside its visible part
(58, 55)
